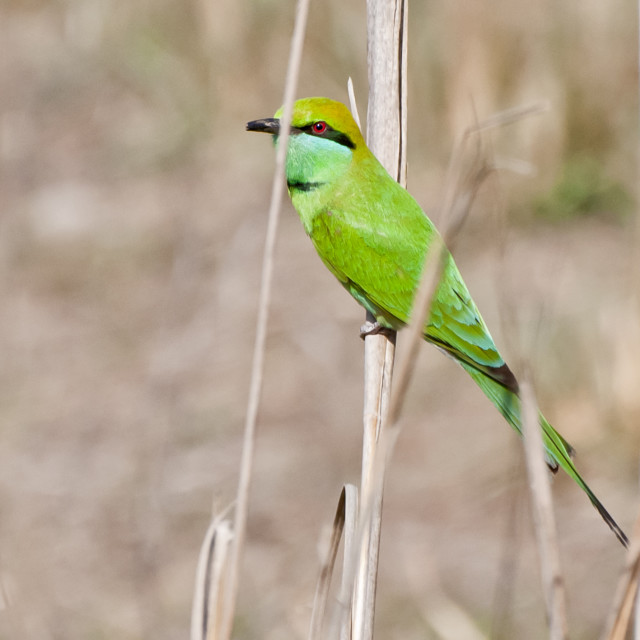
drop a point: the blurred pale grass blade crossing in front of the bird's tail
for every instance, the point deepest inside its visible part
(545, 528)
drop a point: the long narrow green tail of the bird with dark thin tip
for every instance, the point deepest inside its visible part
(558, 451)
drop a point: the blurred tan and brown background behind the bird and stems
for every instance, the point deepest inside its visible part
(133, 211)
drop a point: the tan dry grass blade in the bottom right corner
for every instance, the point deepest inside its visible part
(626, 595)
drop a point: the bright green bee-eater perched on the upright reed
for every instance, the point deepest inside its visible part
(374, 237)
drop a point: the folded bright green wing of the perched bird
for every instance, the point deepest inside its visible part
(381, 266)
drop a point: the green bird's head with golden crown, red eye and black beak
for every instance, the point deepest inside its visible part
(322, 141)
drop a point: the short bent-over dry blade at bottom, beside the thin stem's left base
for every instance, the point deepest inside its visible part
(210, 575)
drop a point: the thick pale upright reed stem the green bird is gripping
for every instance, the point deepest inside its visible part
(386, 137)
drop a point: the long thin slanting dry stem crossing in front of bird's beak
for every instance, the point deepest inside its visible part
(257, 370)
